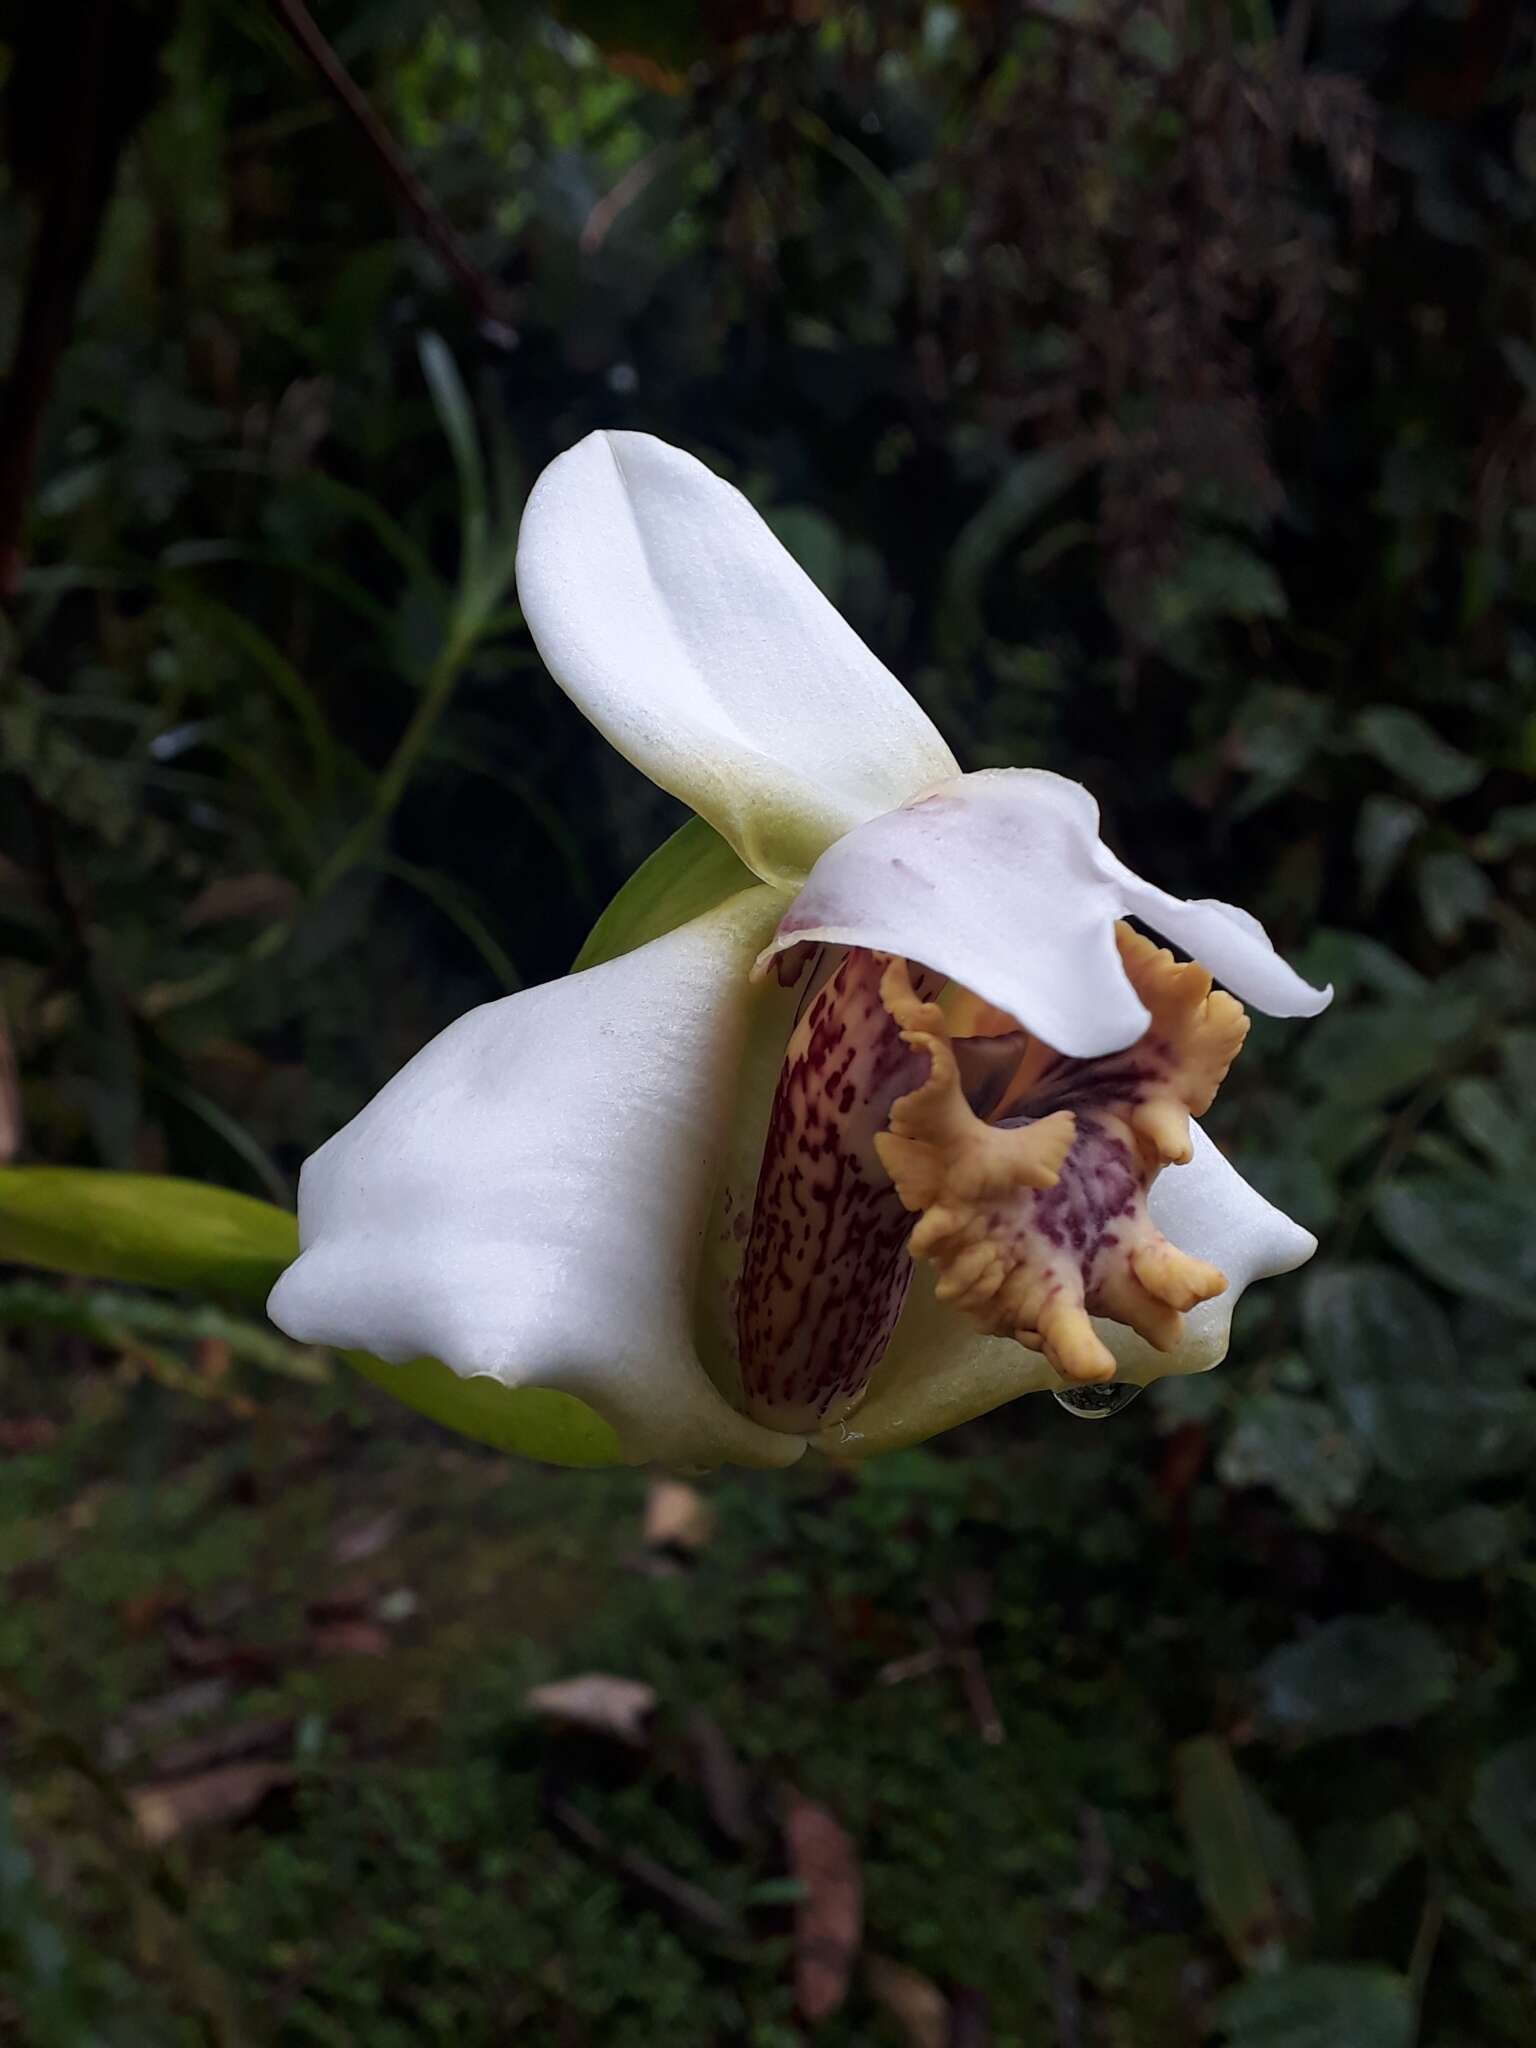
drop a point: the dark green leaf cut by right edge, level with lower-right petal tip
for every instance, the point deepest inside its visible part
(1474, 1238)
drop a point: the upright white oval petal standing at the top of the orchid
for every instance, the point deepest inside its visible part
(710, 658)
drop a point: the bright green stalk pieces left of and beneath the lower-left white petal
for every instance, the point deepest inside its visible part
(181, 1234)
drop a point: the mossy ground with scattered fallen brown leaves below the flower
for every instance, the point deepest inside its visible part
(982, 1662)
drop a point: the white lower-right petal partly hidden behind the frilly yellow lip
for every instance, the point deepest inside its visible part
(941, 1373)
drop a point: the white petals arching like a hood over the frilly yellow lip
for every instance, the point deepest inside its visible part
(1002, 884)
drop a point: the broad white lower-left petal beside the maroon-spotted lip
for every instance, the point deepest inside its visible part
(527, 1199)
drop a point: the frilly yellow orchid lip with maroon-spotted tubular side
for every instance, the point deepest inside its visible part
(1033, 1215)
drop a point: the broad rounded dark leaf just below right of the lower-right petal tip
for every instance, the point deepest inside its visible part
(1388, 1355)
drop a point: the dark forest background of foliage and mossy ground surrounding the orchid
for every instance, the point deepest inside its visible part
(1154, 386)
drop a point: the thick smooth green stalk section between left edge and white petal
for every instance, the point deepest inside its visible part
(144, 1230)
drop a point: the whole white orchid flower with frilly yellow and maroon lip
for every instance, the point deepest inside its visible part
(884, 1123)
